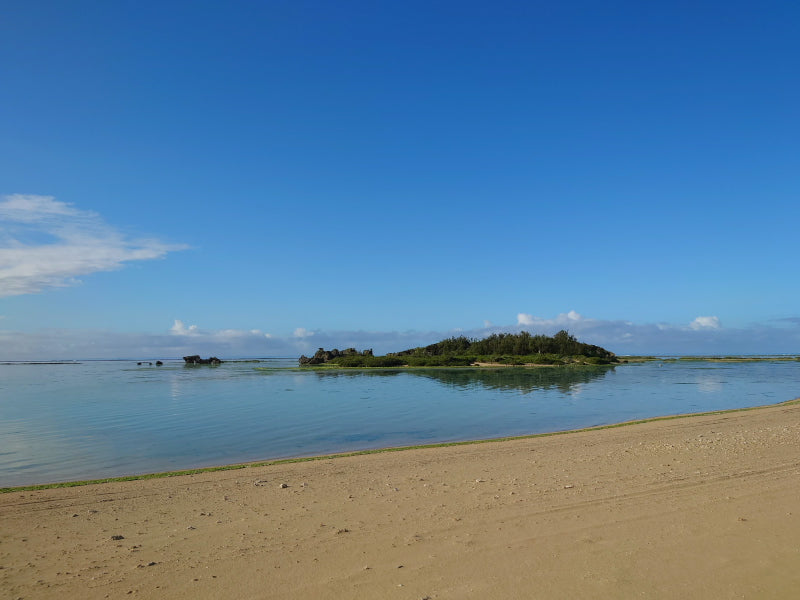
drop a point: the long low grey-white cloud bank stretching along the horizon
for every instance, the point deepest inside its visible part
(704, 335)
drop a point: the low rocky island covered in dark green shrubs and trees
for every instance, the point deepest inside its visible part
(499, 349)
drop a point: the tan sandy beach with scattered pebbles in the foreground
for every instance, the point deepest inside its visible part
(698, 507)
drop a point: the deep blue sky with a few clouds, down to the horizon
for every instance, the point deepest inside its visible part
(263, 178)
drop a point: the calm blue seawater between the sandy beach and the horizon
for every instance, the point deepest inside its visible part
(108, 418)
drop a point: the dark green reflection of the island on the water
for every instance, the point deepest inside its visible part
(525, 380)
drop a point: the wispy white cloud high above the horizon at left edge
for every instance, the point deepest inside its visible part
(48, 244)
